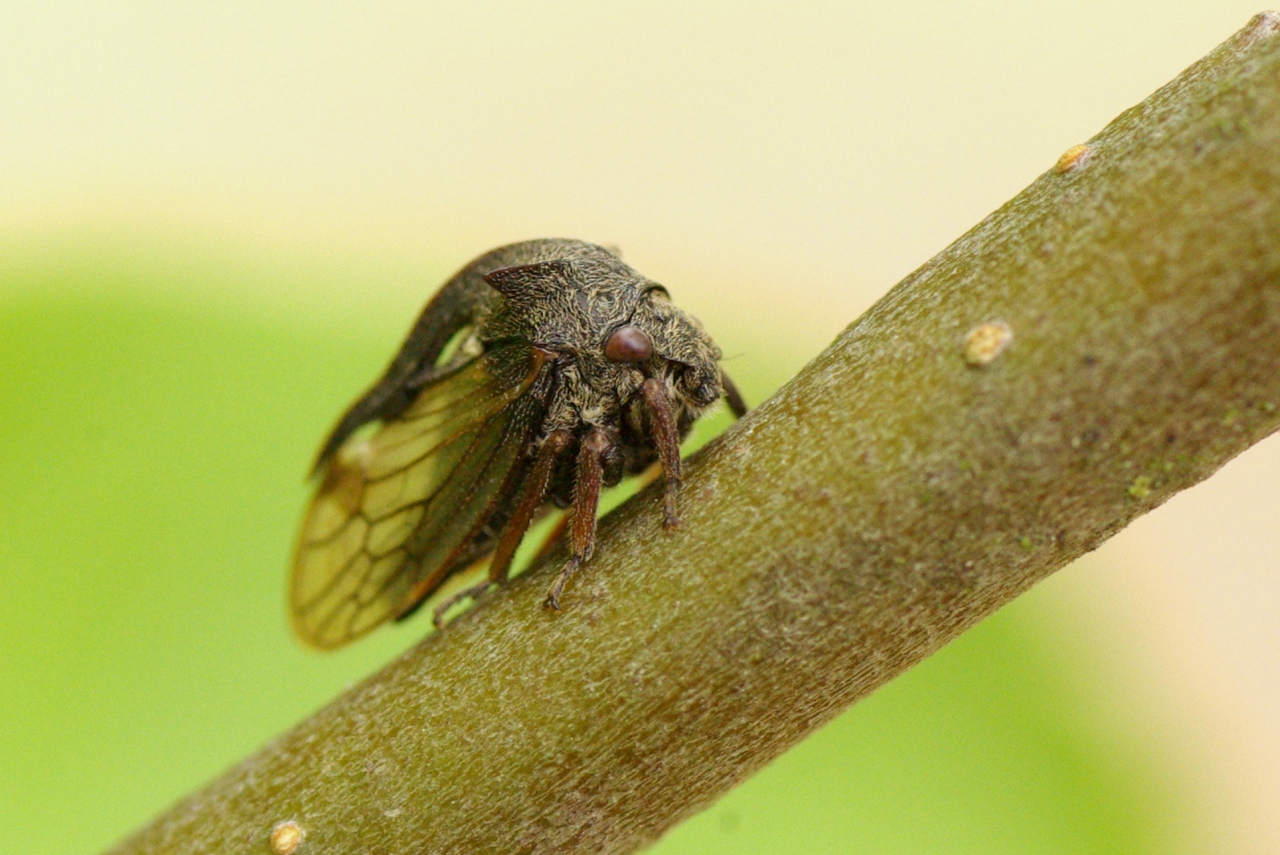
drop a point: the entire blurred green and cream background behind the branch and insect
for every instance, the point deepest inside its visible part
(218, 225)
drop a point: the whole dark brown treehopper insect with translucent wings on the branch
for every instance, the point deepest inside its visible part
(541, 373)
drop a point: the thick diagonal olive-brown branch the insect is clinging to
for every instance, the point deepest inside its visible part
(908, 483)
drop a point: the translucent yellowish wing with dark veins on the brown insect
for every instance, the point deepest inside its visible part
(403, 510)
